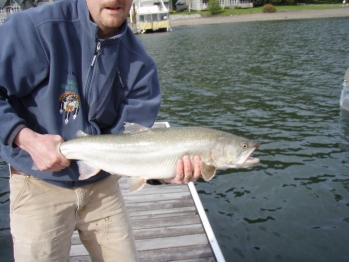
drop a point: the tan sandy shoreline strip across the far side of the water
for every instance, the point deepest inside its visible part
(280, 15)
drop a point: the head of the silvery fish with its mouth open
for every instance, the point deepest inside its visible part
(234, 152)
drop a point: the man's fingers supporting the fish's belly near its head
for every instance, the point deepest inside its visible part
(186, 172)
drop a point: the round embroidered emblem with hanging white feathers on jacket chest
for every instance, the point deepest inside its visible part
(69, 103)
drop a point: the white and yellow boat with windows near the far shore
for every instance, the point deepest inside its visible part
(151, 15)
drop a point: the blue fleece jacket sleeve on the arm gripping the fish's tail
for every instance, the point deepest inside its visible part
(23, 64)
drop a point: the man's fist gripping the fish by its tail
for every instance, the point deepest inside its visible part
(44, 149)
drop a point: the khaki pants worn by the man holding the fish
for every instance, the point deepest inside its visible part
(44, 216)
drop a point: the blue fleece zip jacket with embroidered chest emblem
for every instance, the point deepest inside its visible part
(56, 77)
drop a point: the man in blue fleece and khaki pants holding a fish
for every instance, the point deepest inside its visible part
(72, 65)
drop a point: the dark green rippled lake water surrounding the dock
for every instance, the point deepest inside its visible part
(277, 82)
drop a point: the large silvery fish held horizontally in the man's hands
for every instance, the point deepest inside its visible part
(143, 153)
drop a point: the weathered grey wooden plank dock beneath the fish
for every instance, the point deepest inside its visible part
(166, 224)
